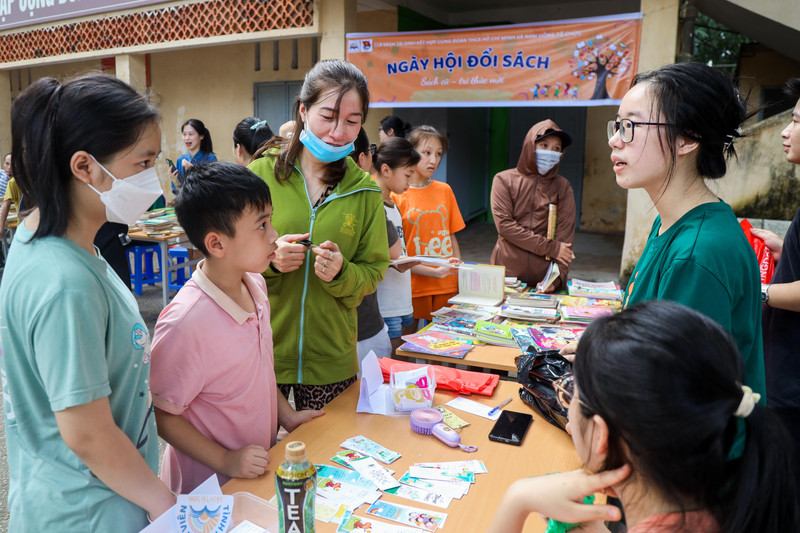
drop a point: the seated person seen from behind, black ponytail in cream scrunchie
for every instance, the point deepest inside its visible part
(654, 408)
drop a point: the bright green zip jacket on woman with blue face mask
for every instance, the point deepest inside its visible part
(314, 323)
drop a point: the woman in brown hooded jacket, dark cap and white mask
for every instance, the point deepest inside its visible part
(521, 199)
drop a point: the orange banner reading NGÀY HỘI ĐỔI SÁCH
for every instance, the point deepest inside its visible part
(577, 62)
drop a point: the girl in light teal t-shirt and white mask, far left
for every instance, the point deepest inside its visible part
(76, 353)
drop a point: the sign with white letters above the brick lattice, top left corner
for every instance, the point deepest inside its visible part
(15, 13)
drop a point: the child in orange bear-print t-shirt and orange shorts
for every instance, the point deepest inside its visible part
(430, 220)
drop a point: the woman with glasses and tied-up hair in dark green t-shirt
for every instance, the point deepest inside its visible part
(675, 128)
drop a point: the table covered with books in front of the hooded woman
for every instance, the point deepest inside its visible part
(491, 337)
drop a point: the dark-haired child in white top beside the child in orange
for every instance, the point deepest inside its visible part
(396, 161)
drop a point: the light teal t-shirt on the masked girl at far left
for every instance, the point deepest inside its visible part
(70, 333)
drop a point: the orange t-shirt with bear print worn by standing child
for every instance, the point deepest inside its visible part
(430, 216)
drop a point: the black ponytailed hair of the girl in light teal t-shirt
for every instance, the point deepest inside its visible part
(50, 122)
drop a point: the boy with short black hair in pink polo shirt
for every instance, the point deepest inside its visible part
(211, 376)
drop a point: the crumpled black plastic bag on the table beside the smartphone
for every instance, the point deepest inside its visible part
(536, 374)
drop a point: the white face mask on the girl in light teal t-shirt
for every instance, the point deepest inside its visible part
(128, 198)
